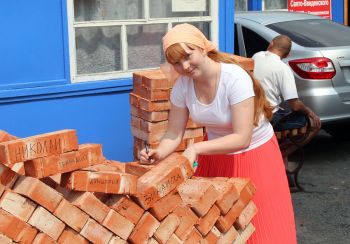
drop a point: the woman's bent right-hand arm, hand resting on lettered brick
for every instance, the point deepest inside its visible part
(242, 124)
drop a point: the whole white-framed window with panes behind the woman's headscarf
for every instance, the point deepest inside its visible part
(110, 39)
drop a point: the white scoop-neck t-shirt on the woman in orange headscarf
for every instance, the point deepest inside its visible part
(235, 85)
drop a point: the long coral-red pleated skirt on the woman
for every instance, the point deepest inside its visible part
(274, 222)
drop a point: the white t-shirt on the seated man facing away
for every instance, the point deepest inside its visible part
(276, 78)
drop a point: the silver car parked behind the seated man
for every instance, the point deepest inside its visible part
(320, 59)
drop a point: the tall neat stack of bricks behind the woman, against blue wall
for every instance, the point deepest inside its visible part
(149, 106)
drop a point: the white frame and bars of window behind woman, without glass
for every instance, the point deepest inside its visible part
(212, 19)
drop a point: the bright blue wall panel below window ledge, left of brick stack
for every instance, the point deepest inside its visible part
(98, 118)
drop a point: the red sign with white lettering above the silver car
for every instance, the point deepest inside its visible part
(317, 7)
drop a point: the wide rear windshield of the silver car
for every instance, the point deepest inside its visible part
(314, 33)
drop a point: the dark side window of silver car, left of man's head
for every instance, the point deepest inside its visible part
(253, 42)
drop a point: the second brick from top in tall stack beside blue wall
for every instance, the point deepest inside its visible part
(152, 94)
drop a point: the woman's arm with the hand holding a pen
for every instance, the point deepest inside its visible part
(177, 121)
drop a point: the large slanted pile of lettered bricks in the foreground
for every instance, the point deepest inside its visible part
(69, 193)
